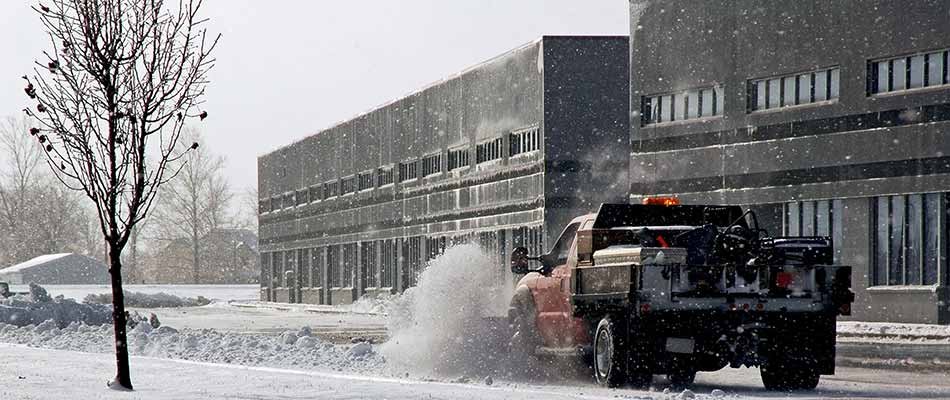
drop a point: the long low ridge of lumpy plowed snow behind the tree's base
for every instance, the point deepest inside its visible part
(291, 349)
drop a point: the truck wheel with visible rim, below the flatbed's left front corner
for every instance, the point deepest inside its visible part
(610, 353)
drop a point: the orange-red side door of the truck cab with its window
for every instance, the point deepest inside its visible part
(551, 294)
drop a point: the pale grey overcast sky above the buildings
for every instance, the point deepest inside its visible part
(287, 69)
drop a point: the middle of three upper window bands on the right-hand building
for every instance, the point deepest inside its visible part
(794, 89)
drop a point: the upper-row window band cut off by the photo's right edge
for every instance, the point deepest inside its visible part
(908, 72)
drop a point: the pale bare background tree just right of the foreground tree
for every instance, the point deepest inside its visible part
(195, 203)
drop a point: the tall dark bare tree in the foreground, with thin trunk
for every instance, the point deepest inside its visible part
(111, 97)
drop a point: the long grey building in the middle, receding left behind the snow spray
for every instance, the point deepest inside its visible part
(502, 153)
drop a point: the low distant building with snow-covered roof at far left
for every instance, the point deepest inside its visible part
(57, 269)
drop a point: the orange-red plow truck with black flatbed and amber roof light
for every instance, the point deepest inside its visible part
(663, 288)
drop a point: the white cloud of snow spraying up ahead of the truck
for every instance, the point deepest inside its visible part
(440, 326)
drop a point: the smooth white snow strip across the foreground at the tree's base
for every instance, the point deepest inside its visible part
(32, 373)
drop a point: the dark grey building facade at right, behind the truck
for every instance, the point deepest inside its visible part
(826, 117)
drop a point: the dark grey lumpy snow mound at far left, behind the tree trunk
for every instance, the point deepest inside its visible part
(38, 306)
